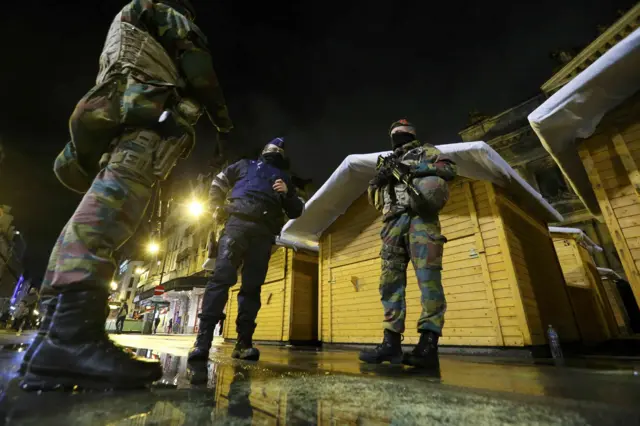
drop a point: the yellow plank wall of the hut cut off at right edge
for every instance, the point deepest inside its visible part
(611, 158)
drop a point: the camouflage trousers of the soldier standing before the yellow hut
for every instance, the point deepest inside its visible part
(410, 237)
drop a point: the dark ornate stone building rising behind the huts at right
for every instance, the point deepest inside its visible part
(511, 136)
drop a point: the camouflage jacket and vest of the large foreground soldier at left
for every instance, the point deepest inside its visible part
(154, 59)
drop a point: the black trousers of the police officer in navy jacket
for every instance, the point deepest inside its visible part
(245, 244)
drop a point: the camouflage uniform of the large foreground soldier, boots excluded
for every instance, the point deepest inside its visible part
(167, 63)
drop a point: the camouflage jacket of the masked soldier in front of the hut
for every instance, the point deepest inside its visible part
(391, 198)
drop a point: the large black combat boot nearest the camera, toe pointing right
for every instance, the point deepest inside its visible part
(78, 352)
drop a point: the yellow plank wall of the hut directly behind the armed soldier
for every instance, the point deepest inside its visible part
(487, 303)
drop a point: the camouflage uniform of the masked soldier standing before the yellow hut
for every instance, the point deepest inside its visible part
(408, 236)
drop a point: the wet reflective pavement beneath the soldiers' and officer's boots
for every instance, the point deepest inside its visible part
(307, 387)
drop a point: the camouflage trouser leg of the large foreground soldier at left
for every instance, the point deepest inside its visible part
(108, 215)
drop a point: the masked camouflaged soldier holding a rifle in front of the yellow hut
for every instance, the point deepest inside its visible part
(409, 233)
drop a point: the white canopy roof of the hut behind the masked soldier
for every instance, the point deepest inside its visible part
(475, 160)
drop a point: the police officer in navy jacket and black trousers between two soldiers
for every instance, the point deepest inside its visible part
(259, 193)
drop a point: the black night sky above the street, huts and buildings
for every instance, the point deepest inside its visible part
(329, 76)
